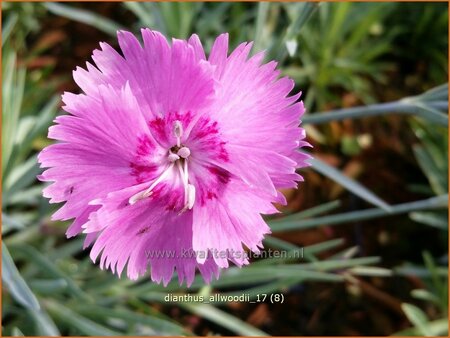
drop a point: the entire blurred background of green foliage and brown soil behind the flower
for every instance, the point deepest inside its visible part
(371, 217)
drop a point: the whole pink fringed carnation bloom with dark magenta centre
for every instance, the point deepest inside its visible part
(169, 158)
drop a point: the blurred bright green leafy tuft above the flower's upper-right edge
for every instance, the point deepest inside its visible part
(341, 49)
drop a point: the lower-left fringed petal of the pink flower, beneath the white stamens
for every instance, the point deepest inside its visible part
(146, 234)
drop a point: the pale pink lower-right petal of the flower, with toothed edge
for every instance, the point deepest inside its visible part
(223, 226)
